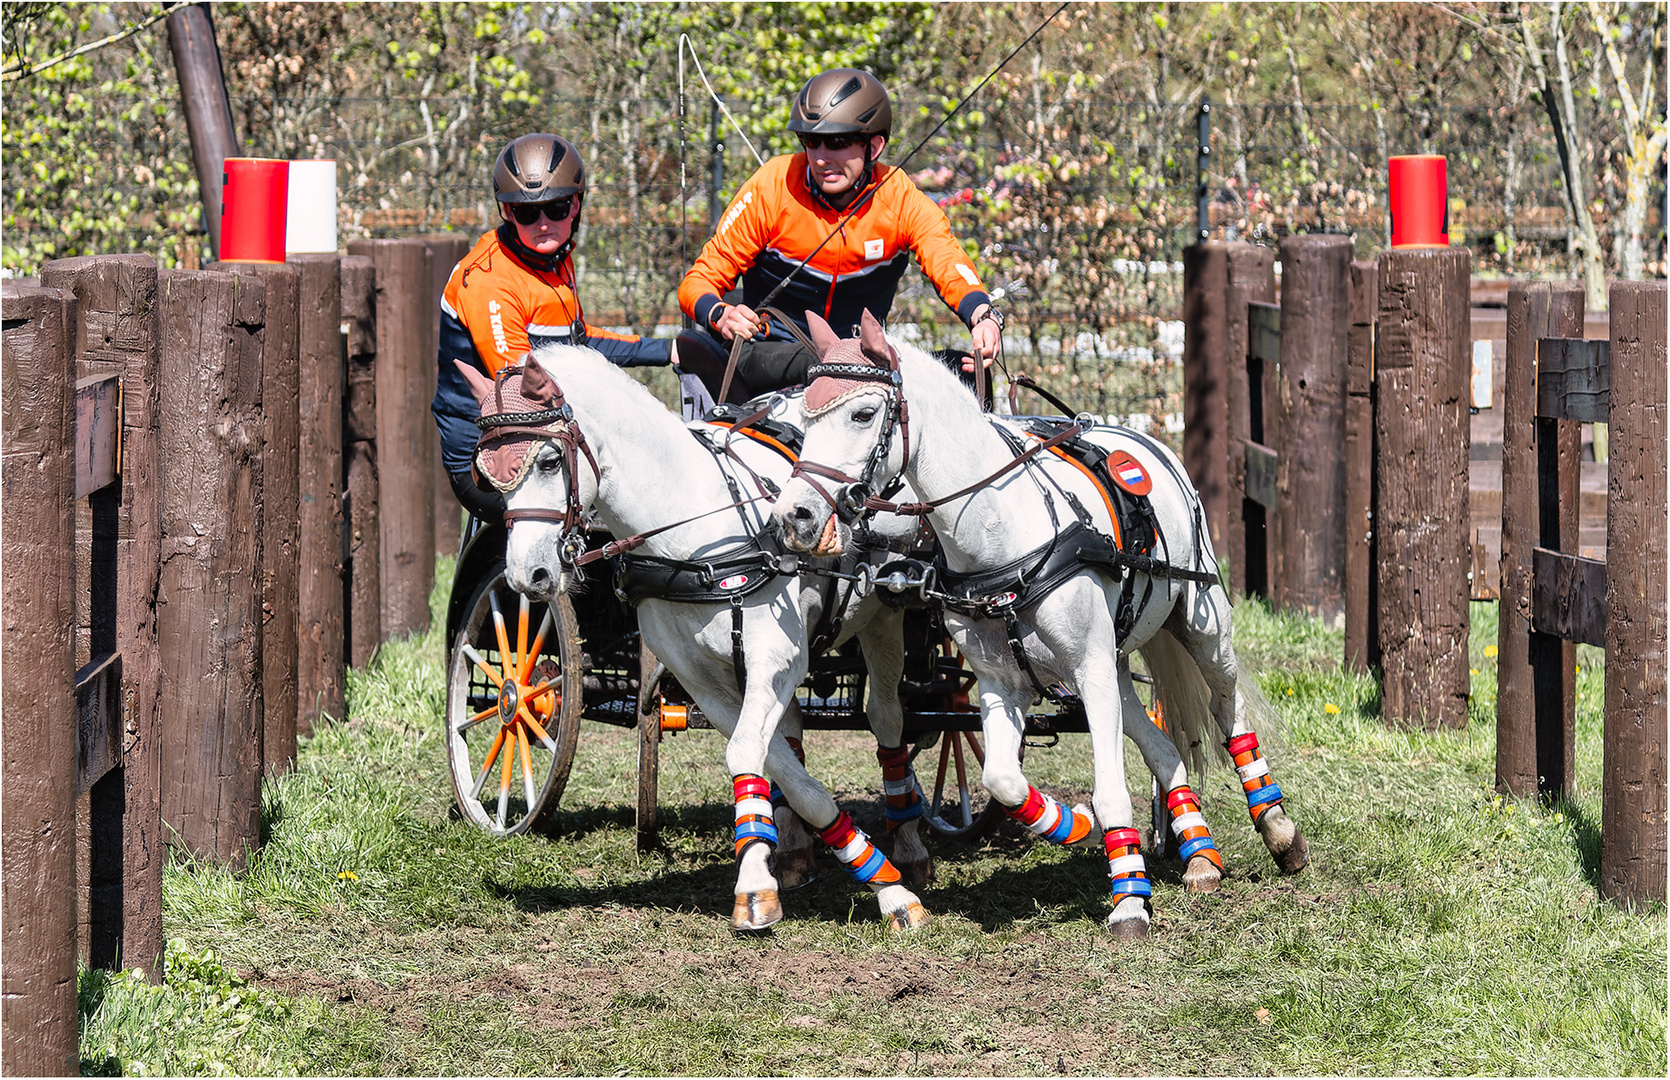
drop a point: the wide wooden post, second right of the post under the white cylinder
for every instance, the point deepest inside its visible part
(407, 437)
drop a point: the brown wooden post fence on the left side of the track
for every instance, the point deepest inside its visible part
(196, 547)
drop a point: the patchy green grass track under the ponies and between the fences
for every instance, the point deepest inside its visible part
(1439, 931)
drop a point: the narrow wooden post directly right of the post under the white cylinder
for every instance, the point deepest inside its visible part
(362, 558)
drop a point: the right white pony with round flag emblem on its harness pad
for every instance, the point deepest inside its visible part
(1036, 585)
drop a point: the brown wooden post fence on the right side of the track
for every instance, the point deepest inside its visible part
(1412, 543)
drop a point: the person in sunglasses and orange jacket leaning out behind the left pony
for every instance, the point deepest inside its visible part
(514, 293)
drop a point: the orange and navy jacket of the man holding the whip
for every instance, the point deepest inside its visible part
(776, 221)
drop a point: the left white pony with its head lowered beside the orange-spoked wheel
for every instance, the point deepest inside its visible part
(692, 500)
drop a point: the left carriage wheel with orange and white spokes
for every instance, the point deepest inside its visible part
(514, 700)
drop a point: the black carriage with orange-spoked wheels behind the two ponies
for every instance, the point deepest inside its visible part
(587, 649)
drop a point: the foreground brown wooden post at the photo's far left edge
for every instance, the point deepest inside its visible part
(38, 779)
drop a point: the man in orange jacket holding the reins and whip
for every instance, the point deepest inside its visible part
(786, 211)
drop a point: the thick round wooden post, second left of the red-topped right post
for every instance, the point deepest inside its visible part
(1310, 543)
